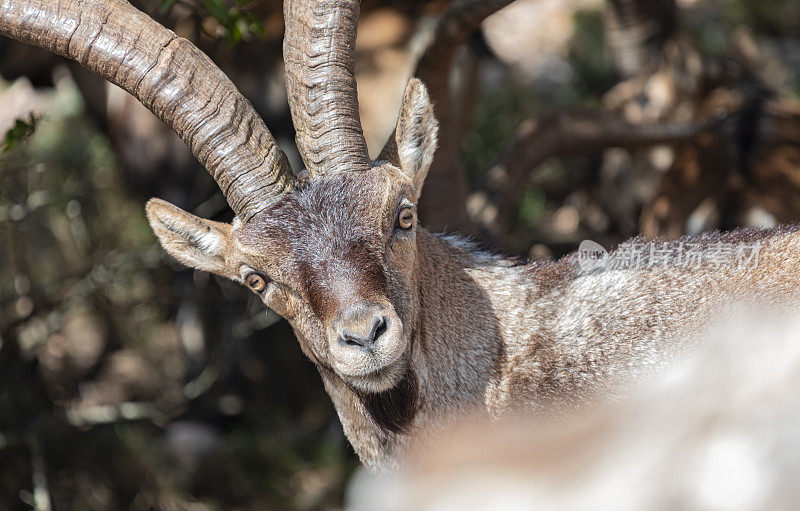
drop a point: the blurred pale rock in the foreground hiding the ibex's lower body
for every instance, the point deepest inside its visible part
(717, 431)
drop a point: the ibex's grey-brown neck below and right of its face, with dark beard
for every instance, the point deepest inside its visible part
(456, 352)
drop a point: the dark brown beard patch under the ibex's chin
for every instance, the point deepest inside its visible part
(394, 409)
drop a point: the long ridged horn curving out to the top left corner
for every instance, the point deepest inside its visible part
(172, 78)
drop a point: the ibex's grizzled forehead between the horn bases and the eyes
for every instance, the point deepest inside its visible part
(327, 212)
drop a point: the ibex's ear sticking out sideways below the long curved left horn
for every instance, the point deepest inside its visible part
(193, 241)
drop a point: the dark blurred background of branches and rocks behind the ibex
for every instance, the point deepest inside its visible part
(129, 382)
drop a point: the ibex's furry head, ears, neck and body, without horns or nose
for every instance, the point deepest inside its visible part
(468, 330)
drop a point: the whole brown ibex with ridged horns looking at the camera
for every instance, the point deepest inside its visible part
(405, 326)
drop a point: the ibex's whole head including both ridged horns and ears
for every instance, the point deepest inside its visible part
(332, 249)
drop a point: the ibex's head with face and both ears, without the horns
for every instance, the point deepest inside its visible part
(336, 257)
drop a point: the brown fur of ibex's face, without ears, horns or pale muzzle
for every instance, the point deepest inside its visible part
(331, 245)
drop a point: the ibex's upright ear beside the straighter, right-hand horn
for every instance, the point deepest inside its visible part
(415, 136)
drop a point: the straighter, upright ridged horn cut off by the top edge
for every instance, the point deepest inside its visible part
(318, 51)
